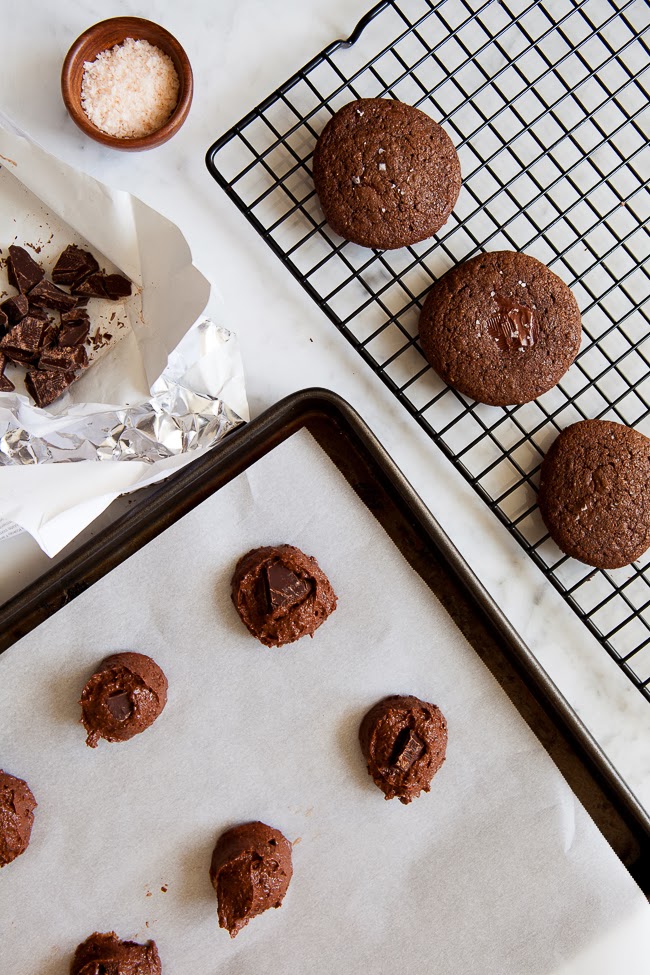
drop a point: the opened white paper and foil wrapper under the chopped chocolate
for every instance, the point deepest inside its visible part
(167, 334)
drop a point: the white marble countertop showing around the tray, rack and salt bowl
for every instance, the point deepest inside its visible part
(240, 51)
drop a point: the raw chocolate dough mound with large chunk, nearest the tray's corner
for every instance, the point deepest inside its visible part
(281, 594)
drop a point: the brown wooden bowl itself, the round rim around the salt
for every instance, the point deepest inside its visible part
(104, 35)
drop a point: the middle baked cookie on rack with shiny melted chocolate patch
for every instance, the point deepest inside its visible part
(500, 328)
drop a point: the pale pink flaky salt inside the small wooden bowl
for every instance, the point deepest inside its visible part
(130, 90)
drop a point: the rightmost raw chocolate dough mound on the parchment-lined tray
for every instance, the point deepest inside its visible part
(404, 741)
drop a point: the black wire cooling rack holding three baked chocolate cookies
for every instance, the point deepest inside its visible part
(546, 102)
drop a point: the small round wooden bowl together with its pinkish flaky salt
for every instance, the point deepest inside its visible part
(127, 83)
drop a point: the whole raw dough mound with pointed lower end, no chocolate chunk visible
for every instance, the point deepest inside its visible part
(250, 872)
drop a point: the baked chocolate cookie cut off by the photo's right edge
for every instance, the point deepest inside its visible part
(594, 493)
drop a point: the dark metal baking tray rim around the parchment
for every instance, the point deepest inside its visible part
(350, 444)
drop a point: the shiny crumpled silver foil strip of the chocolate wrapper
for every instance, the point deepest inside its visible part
(177, 419)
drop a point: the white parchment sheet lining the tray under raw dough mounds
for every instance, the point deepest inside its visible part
(497, 870)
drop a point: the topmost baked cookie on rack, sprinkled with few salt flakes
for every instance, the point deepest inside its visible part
(385, 173)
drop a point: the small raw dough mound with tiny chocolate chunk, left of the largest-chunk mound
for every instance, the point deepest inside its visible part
(123, 698)
